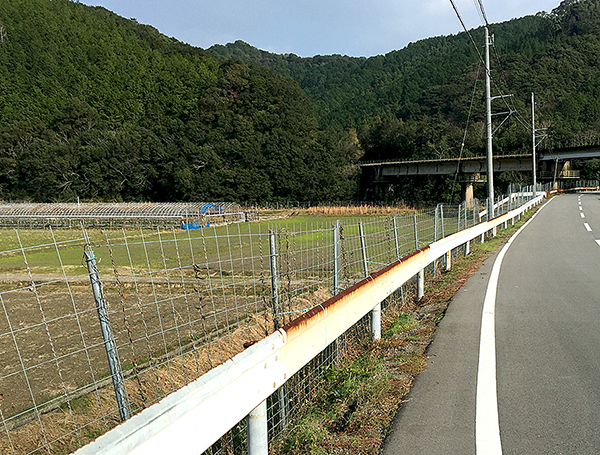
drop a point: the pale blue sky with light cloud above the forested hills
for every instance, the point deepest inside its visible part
(316, 27)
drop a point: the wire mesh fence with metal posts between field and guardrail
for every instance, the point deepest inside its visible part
(98, 324)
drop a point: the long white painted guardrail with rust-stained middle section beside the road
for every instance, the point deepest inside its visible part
(193, 418)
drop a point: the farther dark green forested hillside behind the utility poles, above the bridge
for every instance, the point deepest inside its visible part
(415, 102)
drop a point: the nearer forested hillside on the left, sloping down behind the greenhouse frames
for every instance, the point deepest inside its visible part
(99, 107)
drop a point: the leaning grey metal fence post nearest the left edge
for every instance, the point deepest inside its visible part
(109, 340)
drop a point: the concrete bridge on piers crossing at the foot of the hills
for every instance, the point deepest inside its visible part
(552, 165)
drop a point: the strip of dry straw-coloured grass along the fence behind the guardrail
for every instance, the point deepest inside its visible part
(94, 413)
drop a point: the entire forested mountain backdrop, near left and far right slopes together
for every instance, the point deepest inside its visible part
(100, 107)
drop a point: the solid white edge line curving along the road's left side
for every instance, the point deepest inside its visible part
(487, 425)
